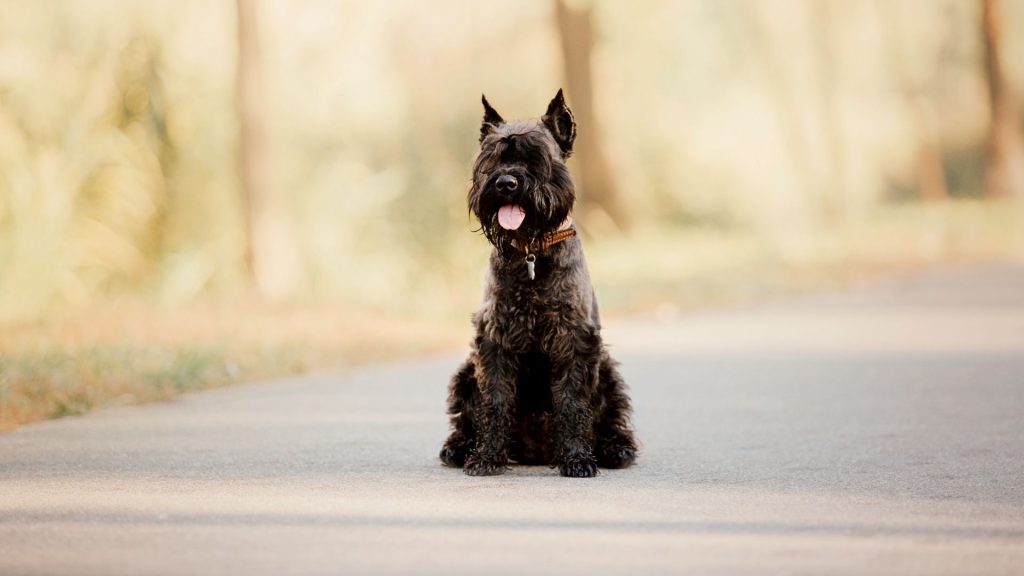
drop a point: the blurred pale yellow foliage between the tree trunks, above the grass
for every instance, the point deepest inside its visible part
(774, 124)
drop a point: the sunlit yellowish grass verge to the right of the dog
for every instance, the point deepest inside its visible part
(695, 267)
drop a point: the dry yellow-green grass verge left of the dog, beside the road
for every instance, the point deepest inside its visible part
(115, 355)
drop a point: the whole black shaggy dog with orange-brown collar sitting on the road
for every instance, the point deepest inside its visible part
(539, 386)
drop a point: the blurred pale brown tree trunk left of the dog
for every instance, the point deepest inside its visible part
(271, 246)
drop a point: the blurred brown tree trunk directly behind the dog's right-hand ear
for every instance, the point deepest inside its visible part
(598, 185)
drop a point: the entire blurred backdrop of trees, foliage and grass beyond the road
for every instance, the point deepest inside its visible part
(194, 192)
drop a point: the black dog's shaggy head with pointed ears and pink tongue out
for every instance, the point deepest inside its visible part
(522, 189)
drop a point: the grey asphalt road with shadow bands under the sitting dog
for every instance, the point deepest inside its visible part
(879, 431)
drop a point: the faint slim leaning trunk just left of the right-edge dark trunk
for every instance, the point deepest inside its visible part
(928, 163)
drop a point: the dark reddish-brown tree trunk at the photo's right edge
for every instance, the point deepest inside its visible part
(1005, 174)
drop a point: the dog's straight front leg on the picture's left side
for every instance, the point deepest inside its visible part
(496, 375)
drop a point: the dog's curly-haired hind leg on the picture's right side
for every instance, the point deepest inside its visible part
(616, 446)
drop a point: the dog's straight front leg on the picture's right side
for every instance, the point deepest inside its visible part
(573, 387)
